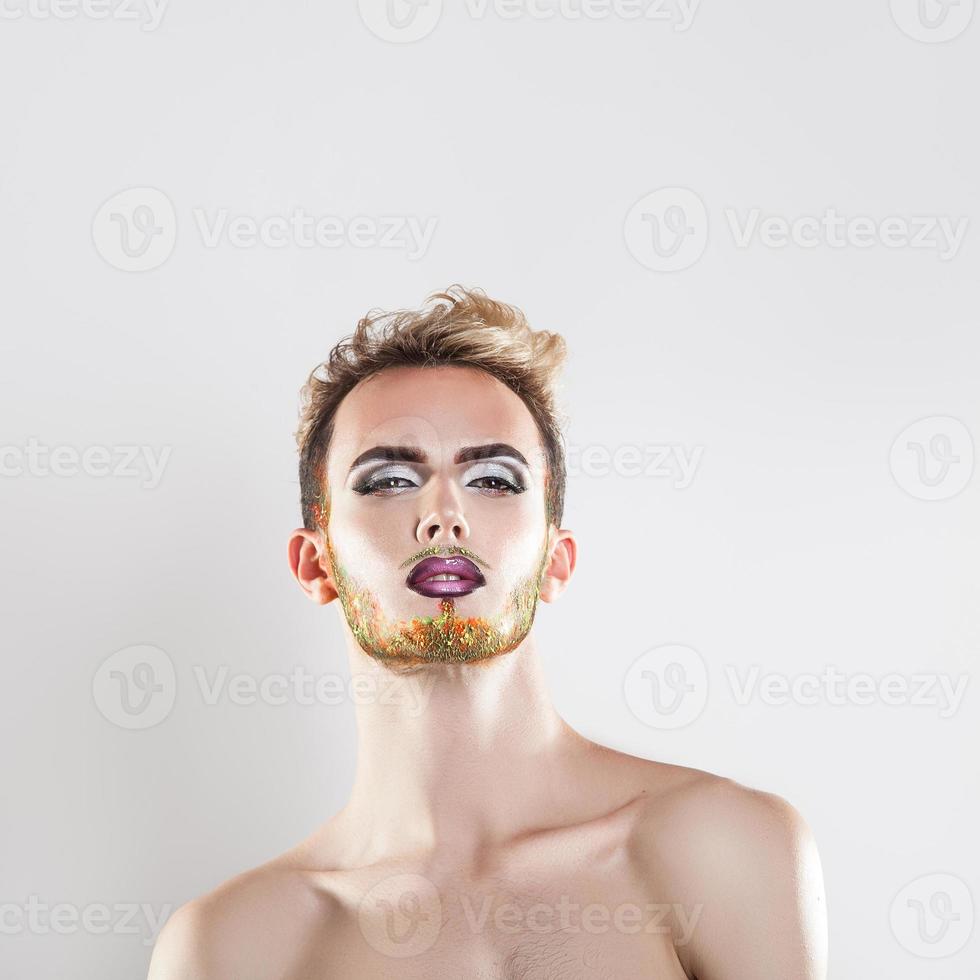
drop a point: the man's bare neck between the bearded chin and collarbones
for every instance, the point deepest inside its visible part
(468, 756)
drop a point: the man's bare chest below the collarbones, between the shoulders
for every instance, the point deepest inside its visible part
(588, 916)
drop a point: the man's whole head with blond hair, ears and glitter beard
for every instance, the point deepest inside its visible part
(432, 476)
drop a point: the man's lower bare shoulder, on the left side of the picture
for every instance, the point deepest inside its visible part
(250, 926)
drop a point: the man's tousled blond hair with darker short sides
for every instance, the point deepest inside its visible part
(459, 327)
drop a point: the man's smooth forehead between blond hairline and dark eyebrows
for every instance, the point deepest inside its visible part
(439, 409)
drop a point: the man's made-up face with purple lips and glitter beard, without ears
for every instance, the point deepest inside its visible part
(434, 516)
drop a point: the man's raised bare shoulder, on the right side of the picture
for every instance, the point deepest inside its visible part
(739, 862)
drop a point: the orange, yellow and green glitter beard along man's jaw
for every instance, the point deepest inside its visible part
(446, 638)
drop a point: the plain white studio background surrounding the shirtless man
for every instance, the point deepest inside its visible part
(799, 544)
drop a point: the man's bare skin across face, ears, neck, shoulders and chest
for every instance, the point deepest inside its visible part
(484, 837)
